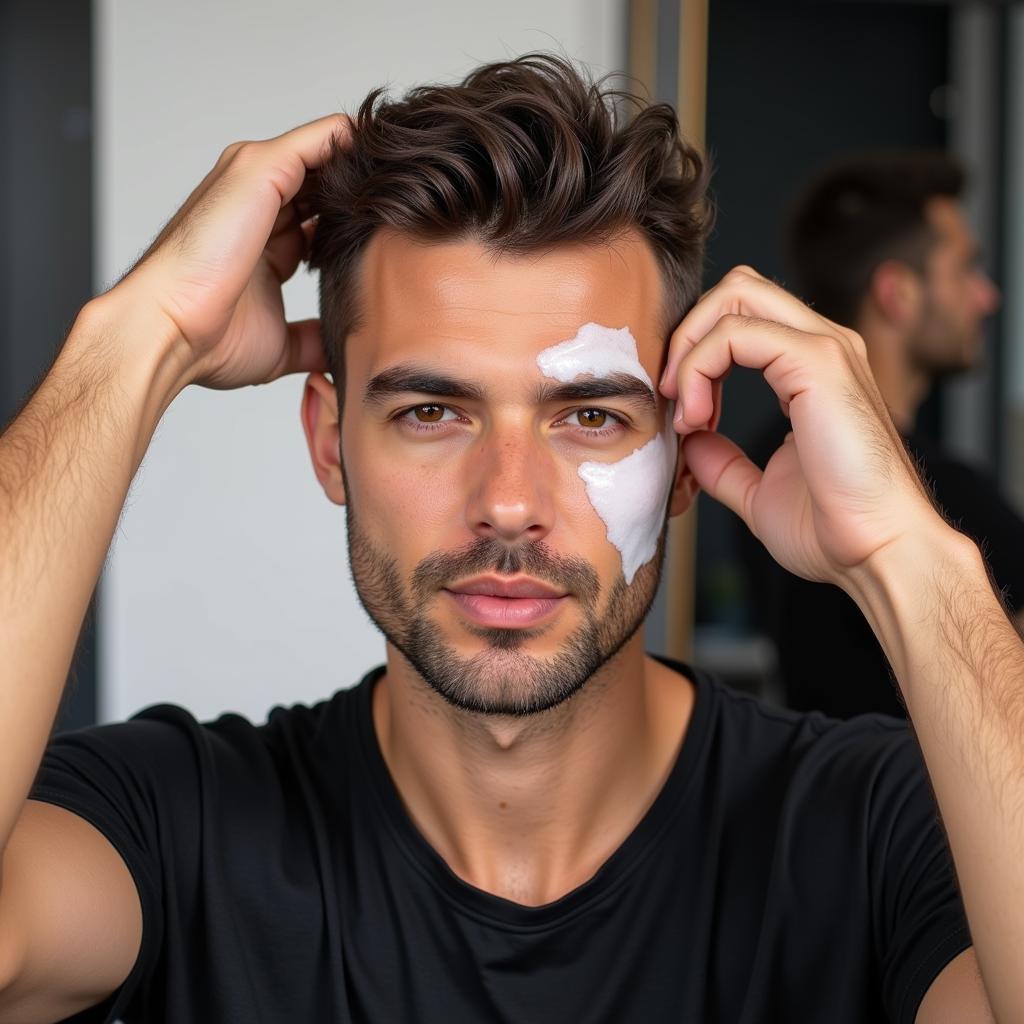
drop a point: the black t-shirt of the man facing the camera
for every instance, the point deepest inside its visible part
(792, 869)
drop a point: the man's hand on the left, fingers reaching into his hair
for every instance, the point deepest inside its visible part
(215, 274)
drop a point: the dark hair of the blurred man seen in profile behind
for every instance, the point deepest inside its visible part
(861, 212)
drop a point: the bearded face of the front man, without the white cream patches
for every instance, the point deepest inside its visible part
(474, 542)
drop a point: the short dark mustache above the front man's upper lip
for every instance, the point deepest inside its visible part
(534, 559)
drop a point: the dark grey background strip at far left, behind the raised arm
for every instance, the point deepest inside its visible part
(47, 204)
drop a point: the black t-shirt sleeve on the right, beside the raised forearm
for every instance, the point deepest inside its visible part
(918, 916)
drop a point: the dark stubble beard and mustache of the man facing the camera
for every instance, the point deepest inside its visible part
(503, 678)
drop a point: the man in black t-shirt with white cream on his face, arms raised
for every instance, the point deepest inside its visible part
(521, 817)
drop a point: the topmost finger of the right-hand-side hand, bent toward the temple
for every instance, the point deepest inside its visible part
(743, 292)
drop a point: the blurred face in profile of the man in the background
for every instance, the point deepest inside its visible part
(958, 296)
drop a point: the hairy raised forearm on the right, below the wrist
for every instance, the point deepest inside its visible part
(961, 668)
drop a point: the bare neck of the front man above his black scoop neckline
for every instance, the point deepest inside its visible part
(530, 808)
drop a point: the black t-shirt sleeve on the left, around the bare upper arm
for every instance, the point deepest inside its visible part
(121, 780)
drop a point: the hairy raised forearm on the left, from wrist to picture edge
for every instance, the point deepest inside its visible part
(66, 465)
